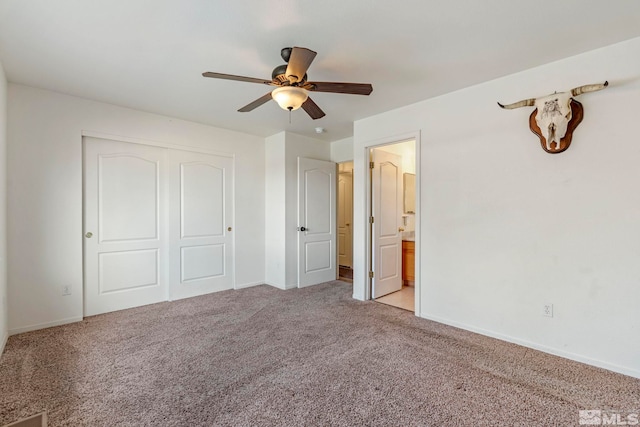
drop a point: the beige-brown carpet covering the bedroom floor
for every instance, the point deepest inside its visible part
(304, 357)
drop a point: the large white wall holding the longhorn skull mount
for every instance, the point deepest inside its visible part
(506, 227)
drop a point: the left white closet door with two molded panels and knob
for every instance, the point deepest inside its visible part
(125, 243)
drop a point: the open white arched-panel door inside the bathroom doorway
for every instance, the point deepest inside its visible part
(386, 192)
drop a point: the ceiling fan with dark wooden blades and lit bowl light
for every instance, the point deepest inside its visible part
(292, 88)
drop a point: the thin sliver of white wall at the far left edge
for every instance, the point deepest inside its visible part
(4, 315)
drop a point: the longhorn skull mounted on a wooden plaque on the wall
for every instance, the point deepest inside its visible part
(556, 116)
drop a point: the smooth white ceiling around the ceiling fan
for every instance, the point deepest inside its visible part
(150, 54)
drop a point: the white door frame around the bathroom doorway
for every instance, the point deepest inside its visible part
(368, 261)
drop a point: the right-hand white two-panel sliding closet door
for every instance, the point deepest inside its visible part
(201, 229)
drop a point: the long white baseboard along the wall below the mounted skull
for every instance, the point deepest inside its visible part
(545, 349)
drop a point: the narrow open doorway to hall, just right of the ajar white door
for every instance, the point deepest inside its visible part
(345, 221)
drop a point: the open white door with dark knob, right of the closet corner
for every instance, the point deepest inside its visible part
(316, 221)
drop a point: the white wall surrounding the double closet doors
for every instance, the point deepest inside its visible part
(45, 195)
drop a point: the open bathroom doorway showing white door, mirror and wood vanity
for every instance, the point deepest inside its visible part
(393, 224)
